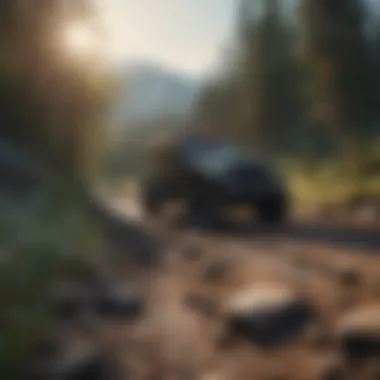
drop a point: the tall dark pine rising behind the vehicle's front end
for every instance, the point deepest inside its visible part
(266, 76)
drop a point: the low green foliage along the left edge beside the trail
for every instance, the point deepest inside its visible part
(42, 240)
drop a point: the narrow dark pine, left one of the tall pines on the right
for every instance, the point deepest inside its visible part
(271, 72)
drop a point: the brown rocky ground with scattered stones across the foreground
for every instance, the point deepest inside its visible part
(298, 303)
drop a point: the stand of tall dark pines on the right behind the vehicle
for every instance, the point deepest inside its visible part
(304, 84)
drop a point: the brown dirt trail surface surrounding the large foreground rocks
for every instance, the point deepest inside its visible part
(183, 332)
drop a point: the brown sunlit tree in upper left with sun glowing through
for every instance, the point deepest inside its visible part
(51, 101)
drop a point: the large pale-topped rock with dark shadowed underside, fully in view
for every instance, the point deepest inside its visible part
(268, 315)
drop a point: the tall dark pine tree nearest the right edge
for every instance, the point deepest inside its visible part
(339, 71)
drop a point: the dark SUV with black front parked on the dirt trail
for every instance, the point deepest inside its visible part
(211, 175)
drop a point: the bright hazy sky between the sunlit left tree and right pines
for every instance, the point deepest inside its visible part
(183, 34)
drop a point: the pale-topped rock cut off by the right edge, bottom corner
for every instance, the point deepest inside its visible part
(359, 333)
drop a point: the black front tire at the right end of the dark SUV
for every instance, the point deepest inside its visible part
(273, 211)
